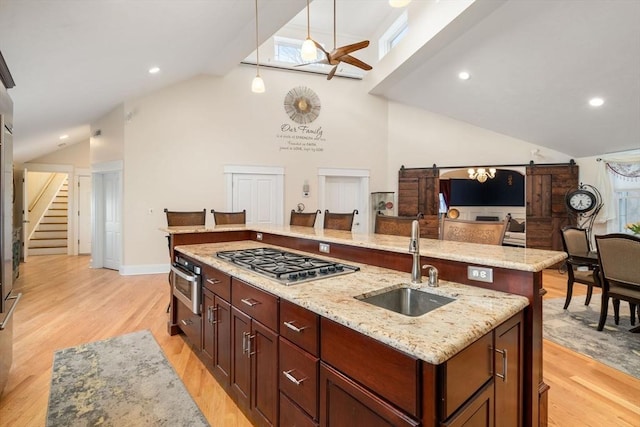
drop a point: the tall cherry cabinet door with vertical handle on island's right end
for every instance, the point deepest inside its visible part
(508, 373)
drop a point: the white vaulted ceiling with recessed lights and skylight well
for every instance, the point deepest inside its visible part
(534, 64)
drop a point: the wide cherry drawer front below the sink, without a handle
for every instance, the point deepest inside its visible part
(367, 360)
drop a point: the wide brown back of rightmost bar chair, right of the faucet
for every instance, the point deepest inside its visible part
(485, 232)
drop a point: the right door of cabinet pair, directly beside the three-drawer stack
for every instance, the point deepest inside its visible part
(263, 348)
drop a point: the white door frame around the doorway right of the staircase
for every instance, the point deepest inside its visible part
(98, 171)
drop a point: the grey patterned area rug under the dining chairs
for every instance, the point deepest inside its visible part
(576, 329)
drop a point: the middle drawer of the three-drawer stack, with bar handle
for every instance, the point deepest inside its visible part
(299, 377)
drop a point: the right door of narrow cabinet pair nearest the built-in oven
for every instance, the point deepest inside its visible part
(222, 337)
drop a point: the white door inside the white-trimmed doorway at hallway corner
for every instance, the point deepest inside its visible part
(112, 220)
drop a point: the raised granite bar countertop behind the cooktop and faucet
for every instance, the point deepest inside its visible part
(513, 258)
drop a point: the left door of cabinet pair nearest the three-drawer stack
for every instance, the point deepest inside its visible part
(241, 363)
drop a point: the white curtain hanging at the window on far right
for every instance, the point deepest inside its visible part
(626, 166)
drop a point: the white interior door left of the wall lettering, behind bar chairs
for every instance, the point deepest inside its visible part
(258, 195)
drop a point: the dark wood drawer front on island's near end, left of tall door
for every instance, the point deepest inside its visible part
(466, 373)
